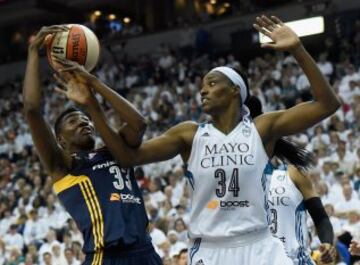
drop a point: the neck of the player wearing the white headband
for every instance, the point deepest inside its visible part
(227, 120)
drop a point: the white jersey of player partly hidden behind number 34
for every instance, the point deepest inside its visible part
(288, 216)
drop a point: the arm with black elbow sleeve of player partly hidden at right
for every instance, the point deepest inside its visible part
(317, 212)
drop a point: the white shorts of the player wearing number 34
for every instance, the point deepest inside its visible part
(256, 248)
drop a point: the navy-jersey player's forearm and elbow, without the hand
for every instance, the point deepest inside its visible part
(136, 124)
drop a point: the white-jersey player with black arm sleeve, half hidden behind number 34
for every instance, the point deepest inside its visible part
(291, 195)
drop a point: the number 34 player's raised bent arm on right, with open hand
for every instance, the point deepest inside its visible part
(304, 115)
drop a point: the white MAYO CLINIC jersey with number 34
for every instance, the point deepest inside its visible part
(229, 189)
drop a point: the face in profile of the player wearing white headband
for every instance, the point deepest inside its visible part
(217, 92)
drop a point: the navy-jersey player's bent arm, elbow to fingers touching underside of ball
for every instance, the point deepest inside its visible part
(135, 122)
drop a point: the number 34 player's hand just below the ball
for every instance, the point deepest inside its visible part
(73, 89)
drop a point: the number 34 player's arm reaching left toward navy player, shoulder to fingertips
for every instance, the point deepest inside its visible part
(164, 147)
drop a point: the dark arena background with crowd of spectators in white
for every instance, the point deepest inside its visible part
(155, 52)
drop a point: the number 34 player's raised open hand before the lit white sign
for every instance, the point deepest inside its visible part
(284, 38)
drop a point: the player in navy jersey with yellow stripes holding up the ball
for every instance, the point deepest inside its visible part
(100, 194)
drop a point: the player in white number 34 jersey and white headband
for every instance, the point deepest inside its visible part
(227, 160)
